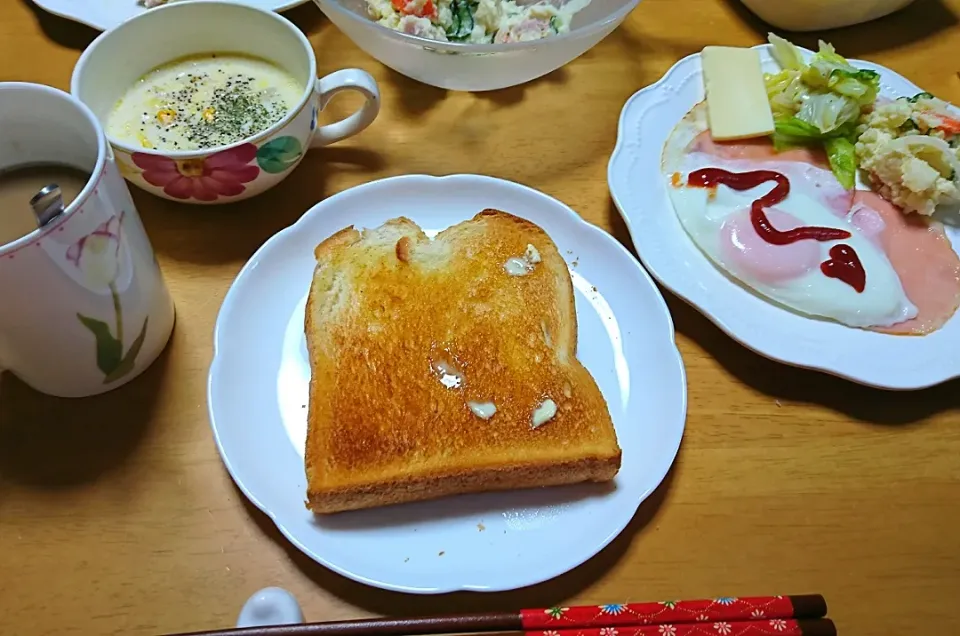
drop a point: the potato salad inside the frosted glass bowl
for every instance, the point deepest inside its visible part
(477, 21)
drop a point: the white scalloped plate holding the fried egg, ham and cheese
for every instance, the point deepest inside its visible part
(639, 191)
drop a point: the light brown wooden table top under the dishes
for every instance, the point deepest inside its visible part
(116, 513)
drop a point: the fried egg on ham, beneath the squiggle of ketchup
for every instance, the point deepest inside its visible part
(718, 221)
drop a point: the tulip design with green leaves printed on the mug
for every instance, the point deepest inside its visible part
(97, 256)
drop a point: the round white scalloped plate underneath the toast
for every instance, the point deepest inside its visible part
(487, 542)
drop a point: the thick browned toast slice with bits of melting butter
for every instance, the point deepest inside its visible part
(437, 366)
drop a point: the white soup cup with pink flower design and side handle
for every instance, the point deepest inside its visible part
(118, 58)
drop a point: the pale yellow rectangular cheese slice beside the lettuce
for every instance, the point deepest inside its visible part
(737, 105)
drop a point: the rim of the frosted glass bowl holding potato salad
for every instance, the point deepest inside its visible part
(463, 48)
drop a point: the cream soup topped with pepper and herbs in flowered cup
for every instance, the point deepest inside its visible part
(203, 101)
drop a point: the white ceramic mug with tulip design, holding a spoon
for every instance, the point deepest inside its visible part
(84, 306)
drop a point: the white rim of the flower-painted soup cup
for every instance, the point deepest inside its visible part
(181, 155)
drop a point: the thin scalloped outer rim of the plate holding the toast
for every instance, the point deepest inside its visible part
(291, 536)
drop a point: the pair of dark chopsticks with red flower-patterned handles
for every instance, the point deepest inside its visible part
(778, 615)
